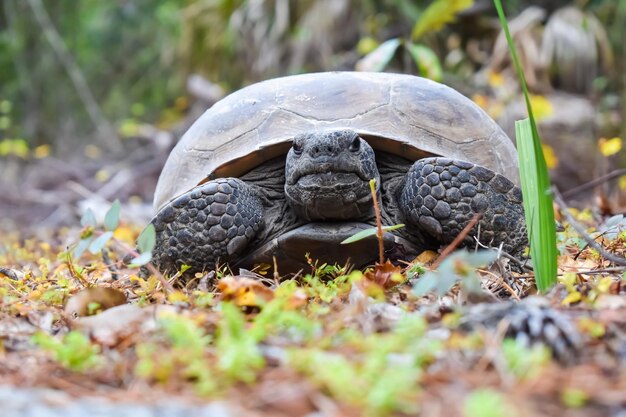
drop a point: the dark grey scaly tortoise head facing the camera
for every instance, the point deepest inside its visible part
(327, 176)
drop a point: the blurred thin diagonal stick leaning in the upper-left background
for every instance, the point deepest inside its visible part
(76, 77)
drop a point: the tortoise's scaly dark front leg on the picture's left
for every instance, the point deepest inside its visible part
(213, 222)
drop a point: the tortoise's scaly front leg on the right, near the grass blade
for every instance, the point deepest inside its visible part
(439, 196)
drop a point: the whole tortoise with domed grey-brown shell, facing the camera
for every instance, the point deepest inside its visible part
(281, 169)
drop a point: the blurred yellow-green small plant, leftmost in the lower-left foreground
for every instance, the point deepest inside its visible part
(74, 351)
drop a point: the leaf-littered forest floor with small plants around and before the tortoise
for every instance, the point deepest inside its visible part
(330, 341)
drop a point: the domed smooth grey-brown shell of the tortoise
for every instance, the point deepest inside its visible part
(400, 114)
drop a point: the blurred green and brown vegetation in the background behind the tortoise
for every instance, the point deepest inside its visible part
(92, 74)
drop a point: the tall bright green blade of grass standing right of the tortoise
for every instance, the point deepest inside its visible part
(535, 182)
